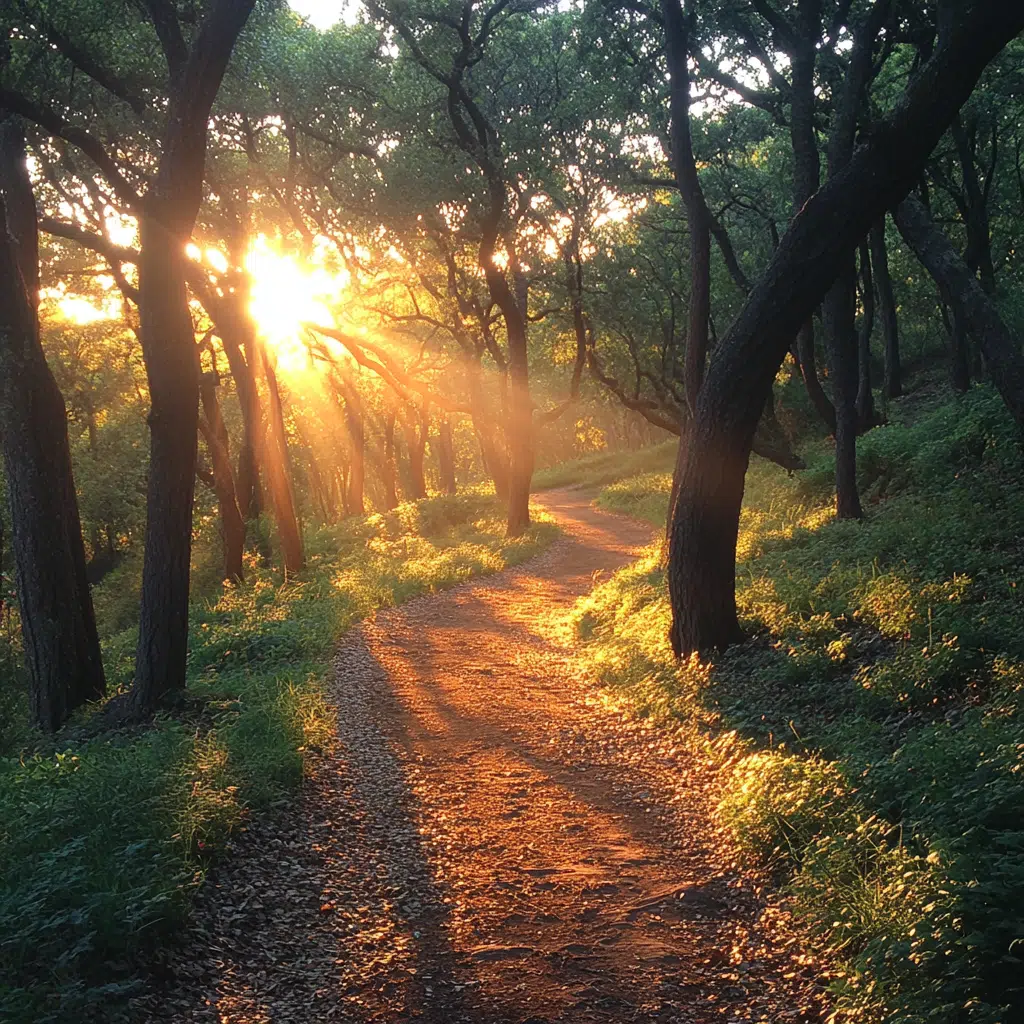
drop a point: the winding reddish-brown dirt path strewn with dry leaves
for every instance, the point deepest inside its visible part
(490, 841)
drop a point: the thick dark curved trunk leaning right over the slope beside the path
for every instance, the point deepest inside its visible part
(812, 255)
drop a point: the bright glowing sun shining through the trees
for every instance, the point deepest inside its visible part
(288, 291)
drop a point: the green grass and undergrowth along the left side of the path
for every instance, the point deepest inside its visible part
(103, 841)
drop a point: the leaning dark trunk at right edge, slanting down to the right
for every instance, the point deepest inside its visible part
(971, 306)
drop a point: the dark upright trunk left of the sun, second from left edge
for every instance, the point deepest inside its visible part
(172, 360)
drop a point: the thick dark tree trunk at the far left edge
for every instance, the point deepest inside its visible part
(59, 628)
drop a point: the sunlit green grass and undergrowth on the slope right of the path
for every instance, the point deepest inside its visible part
(871, 732)
